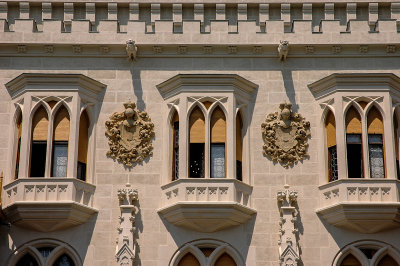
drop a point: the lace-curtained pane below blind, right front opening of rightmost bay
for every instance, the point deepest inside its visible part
(376, 160)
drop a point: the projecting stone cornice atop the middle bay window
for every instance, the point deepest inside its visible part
(205, 82)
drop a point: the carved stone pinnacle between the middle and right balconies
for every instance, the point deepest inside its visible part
(288, 246)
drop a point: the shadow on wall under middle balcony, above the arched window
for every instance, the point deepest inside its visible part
(232, 236)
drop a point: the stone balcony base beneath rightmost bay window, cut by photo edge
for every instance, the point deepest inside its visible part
(363, 205)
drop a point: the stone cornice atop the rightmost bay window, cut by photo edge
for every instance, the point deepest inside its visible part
(347, 82)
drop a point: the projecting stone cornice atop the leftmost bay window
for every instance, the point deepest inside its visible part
(53, 82)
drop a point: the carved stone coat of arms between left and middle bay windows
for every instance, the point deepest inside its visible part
(130, 133)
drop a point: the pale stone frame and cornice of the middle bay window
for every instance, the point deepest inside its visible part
(231, 92)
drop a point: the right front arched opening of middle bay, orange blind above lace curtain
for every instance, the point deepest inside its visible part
(218, 141)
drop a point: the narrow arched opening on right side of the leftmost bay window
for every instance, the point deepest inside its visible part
(83, 146)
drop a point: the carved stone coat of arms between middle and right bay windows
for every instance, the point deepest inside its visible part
(285, 135)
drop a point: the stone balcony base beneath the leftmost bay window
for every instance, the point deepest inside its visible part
(48, 204)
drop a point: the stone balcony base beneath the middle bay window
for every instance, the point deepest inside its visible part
(206, 205)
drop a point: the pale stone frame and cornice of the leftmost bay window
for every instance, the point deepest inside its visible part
(76, 93)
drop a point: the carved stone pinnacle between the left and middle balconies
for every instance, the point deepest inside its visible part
(126, 243)
